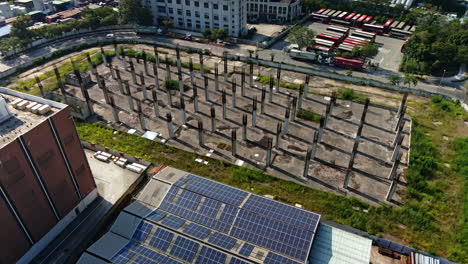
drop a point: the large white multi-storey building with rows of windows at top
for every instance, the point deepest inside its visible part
(201, 14)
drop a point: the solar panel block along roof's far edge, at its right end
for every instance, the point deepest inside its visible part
(283, 212)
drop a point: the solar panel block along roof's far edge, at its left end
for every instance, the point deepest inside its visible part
(215, 190)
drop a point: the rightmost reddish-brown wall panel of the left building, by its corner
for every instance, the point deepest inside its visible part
(71, 143)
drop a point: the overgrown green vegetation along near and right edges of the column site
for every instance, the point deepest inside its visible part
(431, 218)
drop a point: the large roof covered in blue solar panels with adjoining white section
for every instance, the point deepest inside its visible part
(182, 218)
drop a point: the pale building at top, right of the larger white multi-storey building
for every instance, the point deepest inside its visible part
(279, 11)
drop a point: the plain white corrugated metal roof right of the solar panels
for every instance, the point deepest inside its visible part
(336, 246)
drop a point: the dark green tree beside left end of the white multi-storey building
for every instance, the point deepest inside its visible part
(133, 12)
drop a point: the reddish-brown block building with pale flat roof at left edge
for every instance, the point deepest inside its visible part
(45, 179)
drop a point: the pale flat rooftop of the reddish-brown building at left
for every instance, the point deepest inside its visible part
(29, 112)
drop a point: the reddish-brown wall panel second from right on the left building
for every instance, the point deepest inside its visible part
(48, 159)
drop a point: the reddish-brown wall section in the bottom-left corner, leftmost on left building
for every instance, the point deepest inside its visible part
(14, 241)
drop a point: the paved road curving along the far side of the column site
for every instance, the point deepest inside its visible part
(452, 89)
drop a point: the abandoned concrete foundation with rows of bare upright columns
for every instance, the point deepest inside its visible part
(224, 109)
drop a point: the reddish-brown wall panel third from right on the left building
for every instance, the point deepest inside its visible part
(24, 192)
